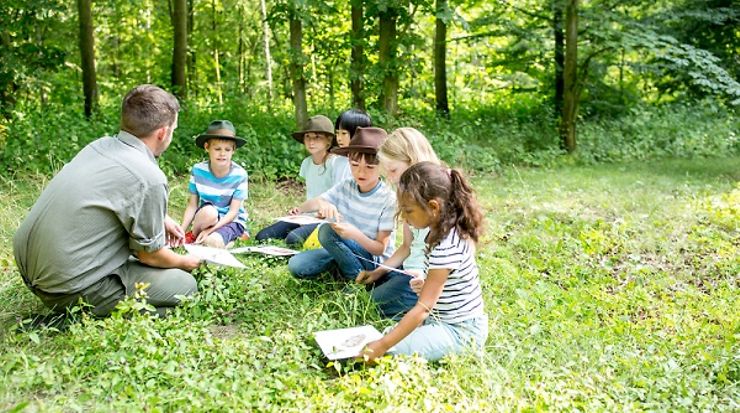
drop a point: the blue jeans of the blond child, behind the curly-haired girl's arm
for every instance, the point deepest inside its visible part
(393, 295)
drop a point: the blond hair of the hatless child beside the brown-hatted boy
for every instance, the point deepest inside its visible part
(407, 145)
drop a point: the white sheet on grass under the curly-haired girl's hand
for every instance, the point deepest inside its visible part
(345, 343)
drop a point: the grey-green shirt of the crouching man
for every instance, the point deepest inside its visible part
(110, 200)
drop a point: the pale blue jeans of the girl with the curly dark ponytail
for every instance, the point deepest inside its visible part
(435, 339)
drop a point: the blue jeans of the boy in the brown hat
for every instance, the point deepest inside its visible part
(336, 252)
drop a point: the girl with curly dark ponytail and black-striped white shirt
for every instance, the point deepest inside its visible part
(449, 315)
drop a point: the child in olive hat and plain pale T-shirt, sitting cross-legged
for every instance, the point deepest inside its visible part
(320, 169)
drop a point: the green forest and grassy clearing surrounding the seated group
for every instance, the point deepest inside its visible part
(601, 136)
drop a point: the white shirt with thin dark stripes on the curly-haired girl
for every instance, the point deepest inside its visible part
(461, 296)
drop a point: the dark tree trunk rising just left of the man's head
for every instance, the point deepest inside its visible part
(87, 51)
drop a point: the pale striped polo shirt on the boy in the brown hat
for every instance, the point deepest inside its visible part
(371, 212)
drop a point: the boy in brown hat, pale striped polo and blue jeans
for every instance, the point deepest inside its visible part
(361, 212)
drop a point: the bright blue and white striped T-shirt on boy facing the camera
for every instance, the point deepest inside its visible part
(220, 191)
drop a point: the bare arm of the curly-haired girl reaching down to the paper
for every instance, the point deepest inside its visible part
(427, 300)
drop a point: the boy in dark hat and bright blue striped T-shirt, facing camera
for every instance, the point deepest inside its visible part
(218, 188)
